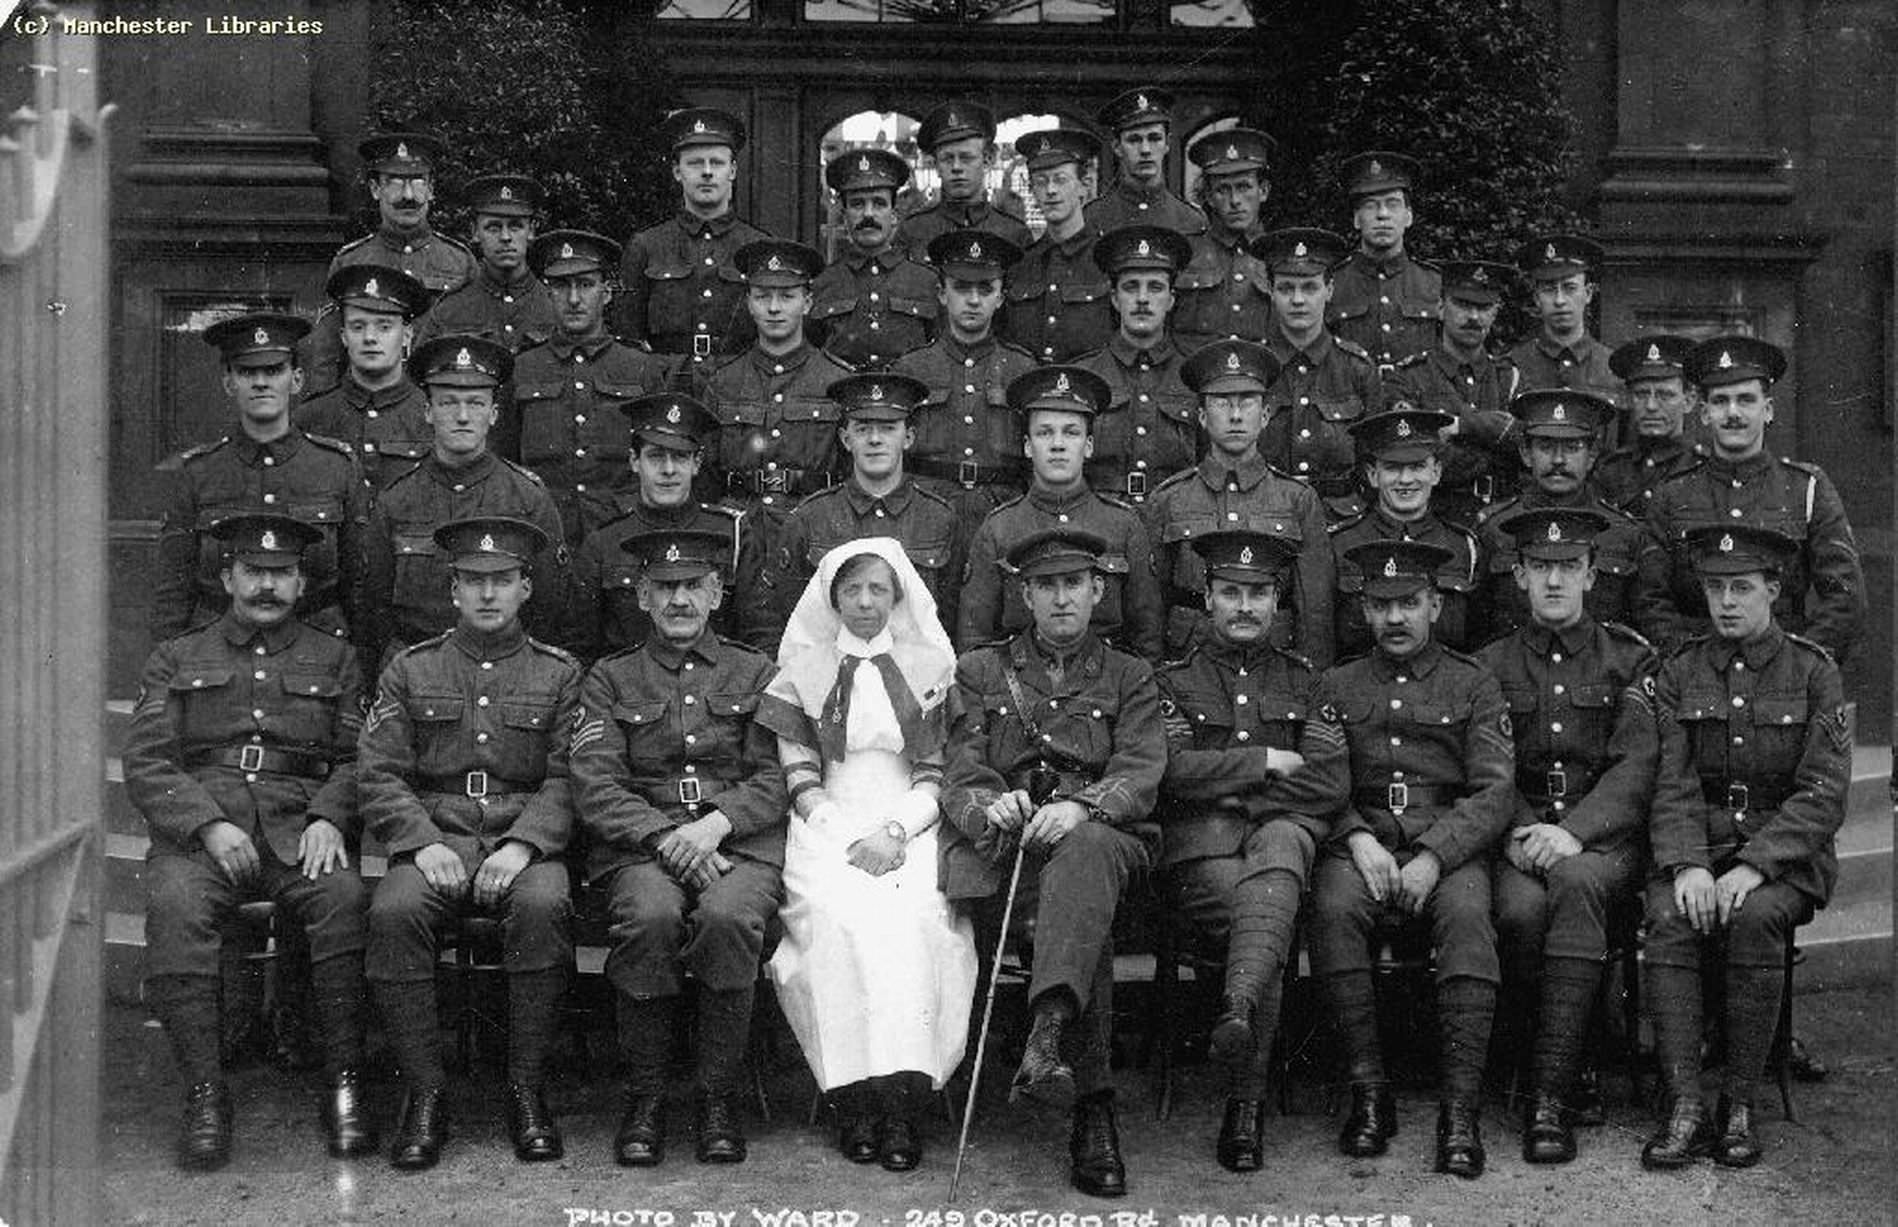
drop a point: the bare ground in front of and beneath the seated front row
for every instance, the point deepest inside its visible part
(1834, 1167)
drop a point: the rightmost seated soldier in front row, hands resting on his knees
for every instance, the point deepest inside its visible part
(1757, 757)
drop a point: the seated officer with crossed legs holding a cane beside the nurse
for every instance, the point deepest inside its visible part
(1058, 749)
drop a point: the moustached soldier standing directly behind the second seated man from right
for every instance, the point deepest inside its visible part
(1561, 440)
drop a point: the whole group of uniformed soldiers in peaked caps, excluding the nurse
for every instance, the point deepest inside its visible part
(1271, 578)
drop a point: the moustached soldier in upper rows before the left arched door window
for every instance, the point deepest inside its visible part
(874, 303)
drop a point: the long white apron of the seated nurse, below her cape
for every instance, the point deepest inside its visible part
(876, 975)
